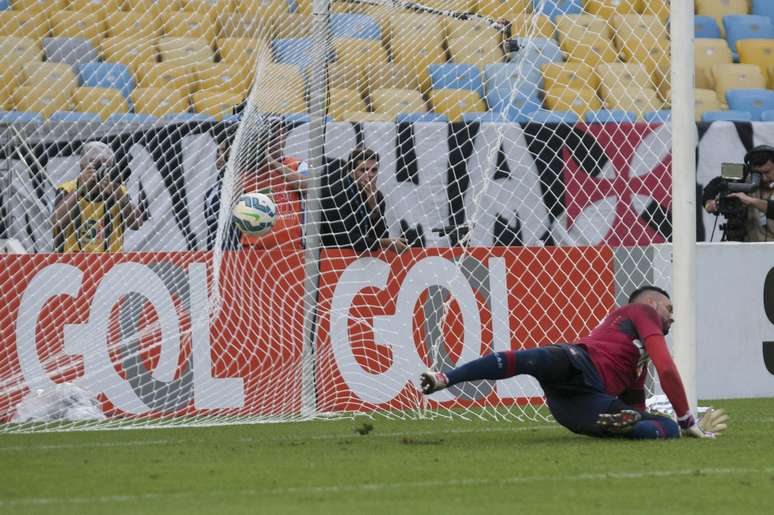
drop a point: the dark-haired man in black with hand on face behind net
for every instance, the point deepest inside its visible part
(353, 209)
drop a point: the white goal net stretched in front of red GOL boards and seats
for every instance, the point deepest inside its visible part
(452, 178)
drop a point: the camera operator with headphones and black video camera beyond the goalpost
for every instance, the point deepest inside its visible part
(743, 223)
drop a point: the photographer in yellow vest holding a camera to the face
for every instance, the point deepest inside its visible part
(92, 212)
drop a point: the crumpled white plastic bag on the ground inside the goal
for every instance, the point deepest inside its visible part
(65, 402)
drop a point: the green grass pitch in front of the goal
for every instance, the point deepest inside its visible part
(412, 467)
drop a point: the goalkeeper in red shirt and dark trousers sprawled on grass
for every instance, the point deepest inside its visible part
(596, 386)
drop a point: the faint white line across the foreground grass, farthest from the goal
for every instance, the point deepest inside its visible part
(377, 487)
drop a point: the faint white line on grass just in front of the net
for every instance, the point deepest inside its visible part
(331, 436)
